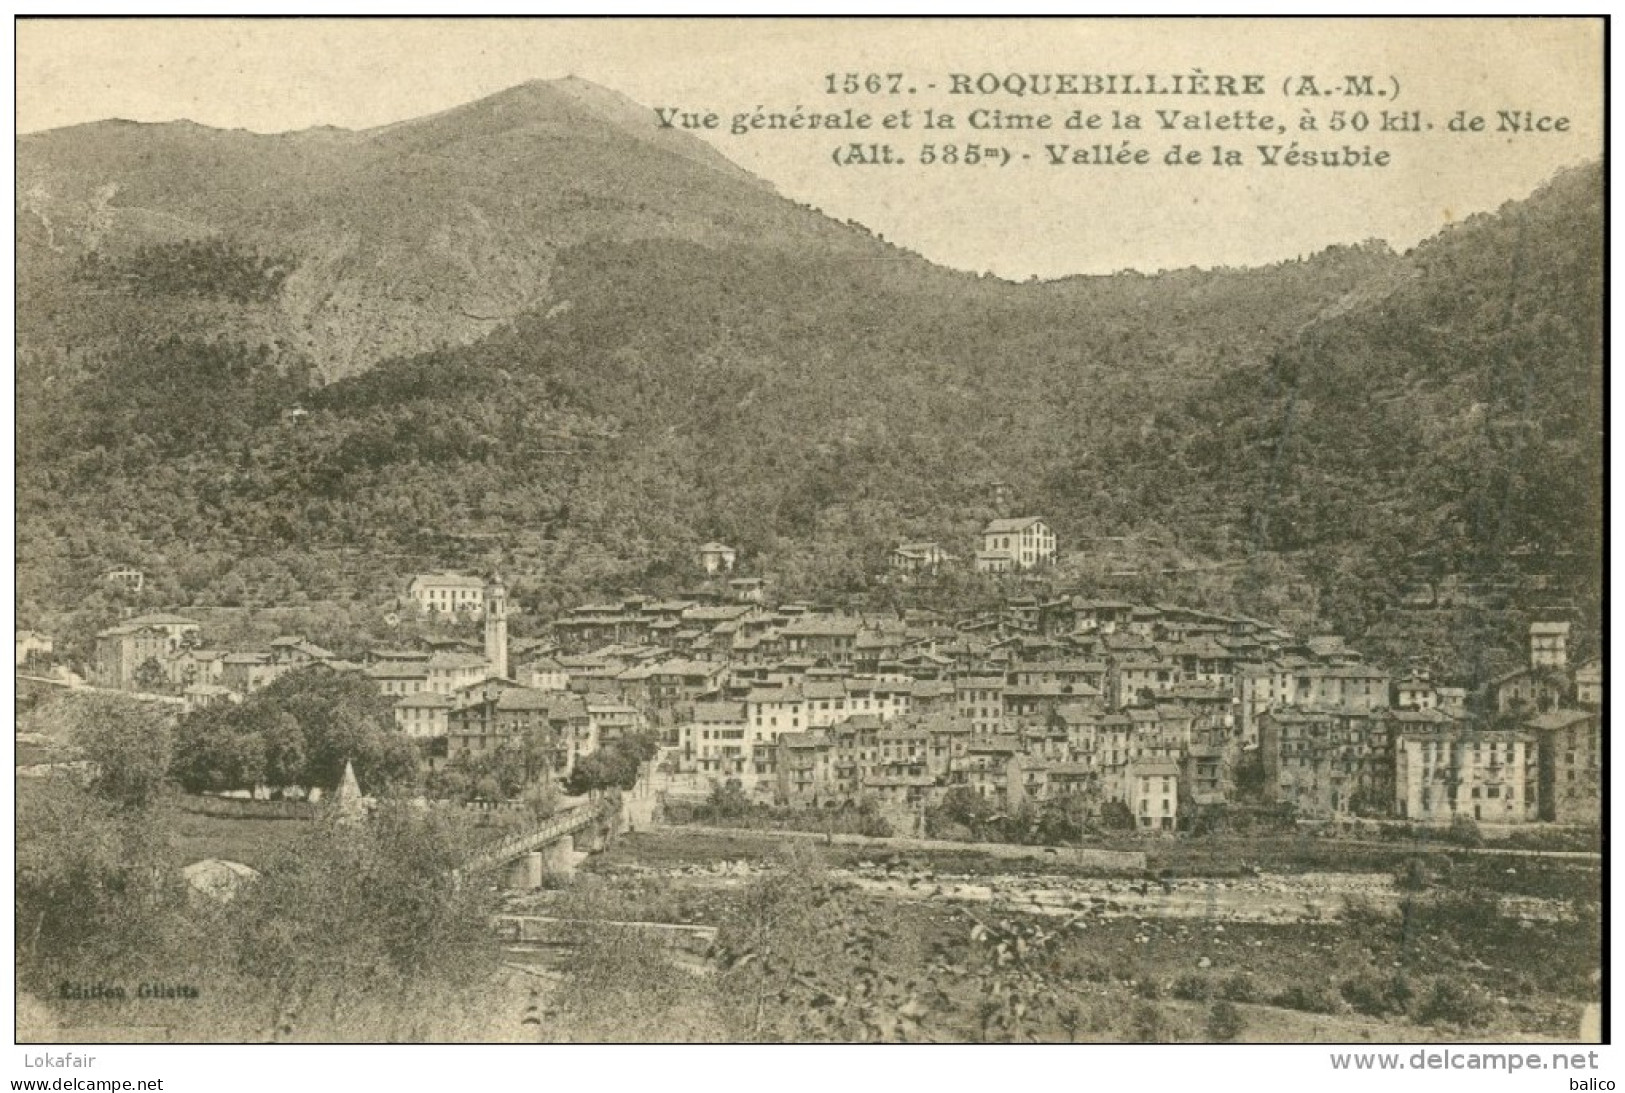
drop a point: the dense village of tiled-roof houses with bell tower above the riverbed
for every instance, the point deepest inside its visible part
(1171, 715)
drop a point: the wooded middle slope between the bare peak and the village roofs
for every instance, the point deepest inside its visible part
(810, 412)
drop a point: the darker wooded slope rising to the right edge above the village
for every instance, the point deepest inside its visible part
(1449, 428)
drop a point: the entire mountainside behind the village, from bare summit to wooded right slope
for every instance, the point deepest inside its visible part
(678, 355)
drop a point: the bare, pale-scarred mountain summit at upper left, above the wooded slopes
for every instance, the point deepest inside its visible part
(404, 231)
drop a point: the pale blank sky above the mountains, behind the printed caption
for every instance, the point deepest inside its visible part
(271, 76)
